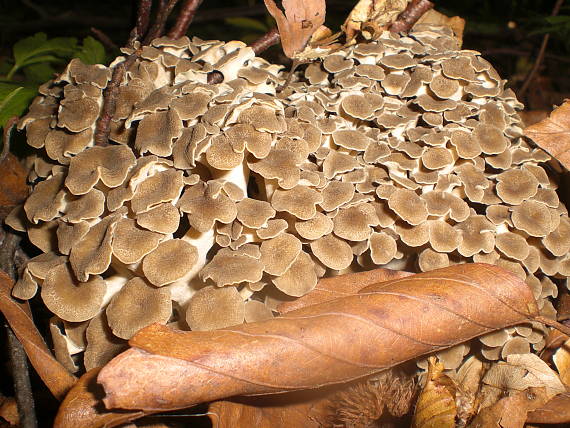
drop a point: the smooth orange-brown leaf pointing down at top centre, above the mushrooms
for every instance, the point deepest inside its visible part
(300, 20)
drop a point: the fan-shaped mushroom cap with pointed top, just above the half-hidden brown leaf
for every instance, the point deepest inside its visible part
(300, 278)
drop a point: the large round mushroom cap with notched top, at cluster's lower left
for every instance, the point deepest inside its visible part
(70, 300)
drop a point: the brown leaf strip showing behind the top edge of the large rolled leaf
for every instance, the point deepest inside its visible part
(328, 289)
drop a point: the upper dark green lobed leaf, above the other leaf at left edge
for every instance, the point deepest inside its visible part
(38, 48)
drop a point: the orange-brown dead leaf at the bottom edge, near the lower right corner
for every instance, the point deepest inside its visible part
(511, 411)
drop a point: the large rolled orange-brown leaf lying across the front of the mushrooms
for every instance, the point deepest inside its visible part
(334, 342)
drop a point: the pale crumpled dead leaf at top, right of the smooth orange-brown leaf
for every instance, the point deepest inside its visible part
(378, 14)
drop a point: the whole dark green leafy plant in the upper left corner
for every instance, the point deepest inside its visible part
(35, 60)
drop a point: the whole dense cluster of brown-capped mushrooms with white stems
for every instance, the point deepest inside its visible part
(214, 202)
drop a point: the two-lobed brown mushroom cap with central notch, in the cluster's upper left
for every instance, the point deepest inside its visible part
(109, 164)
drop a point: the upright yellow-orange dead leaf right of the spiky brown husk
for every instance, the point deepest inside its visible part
(436, 407)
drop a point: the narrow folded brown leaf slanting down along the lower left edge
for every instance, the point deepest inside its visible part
(55, 376)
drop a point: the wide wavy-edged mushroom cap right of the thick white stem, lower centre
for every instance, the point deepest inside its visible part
(230, 267)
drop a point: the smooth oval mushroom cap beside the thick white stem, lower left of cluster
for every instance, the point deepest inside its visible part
(169, 261)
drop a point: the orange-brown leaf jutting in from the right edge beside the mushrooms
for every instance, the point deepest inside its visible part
(553, 134)
